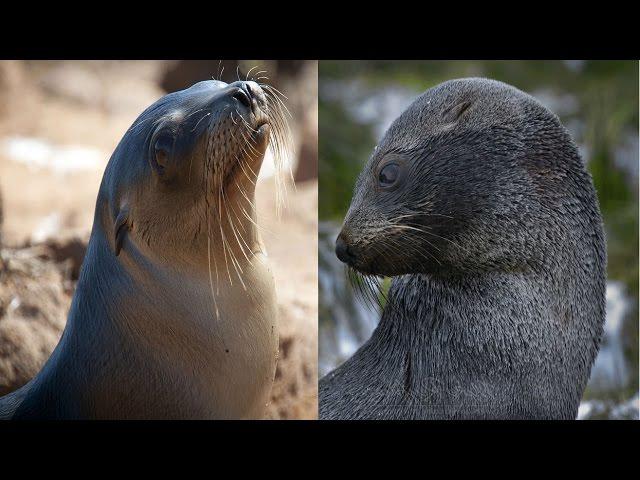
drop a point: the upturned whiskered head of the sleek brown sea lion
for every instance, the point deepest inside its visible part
(184, 174)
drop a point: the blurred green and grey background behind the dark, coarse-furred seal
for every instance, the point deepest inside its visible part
(596, 100)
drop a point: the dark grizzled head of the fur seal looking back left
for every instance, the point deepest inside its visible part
(474, 176)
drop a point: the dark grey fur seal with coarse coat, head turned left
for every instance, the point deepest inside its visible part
(477, 203)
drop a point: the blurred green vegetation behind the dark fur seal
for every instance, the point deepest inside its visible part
(606, 108)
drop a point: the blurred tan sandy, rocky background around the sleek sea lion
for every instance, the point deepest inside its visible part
(59, 123)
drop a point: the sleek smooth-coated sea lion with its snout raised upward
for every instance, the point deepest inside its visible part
(174, 314)
